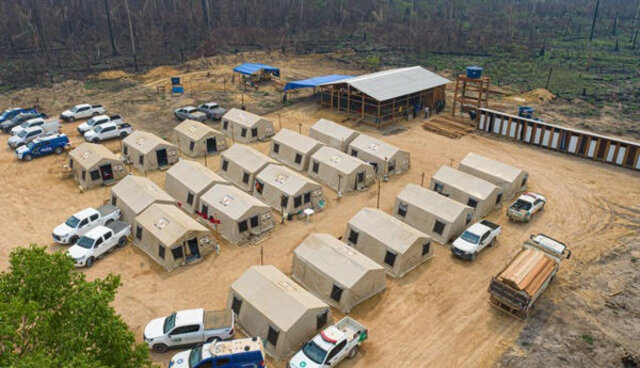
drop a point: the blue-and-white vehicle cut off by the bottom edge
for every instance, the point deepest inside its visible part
(241, 353)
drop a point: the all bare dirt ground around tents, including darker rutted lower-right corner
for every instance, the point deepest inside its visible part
(437, 315)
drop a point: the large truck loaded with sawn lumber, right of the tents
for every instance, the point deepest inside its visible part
(510, 292)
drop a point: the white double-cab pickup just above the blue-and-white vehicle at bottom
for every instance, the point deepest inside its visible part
(188, 328)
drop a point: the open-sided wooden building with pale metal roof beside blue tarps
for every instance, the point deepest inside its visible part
(381, 98)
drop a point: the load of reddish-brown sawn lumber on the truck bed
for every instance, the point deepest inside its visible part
(528, 271)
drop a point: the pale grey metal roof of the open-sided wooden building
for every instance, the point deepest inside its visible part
(393, 83)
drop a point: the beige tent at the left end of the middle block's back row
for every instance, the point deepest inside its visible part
(134, 194)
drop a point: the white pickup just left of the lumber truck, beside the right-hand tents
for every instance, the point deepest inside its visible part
(477, 237)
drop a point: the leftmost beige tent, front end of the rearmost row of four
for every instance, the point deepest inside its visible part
(94, 165)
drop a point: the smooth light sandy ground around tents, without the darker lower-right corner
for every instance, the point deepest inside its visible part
(437, 315)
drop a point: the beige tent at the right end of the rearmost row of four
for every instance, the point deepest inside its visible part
(246, 127)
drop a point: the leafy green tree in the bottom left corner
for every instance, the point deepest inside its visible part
(51, 316)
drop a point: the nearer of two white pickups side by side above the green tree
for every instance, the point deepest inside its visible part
(98, 242)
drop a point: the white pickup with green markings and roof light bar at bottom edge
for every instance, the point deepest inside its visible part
(331, 345)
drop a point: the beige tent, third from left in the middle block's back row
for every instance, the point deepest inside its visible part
(240, 164)
